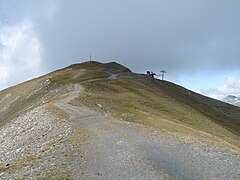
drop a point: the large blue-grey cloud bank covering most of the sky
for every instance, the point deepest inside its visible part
(179, 36)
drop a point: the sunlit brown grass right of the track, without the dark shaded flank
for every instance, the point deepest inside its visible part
(134, 101)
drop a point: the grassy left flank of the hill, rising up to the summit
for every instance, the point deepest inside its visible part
(18, 99)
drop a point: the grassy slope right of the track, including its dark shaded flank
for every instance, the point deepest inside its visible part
(161, 104)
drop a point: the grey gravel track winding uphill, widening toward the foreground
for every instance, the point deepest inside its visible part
(118, 150)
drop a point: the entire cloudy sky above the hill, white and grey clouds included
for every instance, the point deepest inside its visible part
(196, 41)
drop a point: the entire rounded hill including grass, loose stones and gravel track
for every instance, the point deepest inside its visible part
(95, 120)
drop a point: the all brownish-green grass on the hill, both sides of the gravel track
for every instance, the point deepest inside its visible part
(135, 98)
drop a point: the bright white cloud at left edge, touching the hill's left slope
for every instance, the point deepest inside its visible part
(20, 53)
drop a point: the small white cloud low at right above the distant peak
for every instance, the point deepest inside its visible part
(232, 87)
